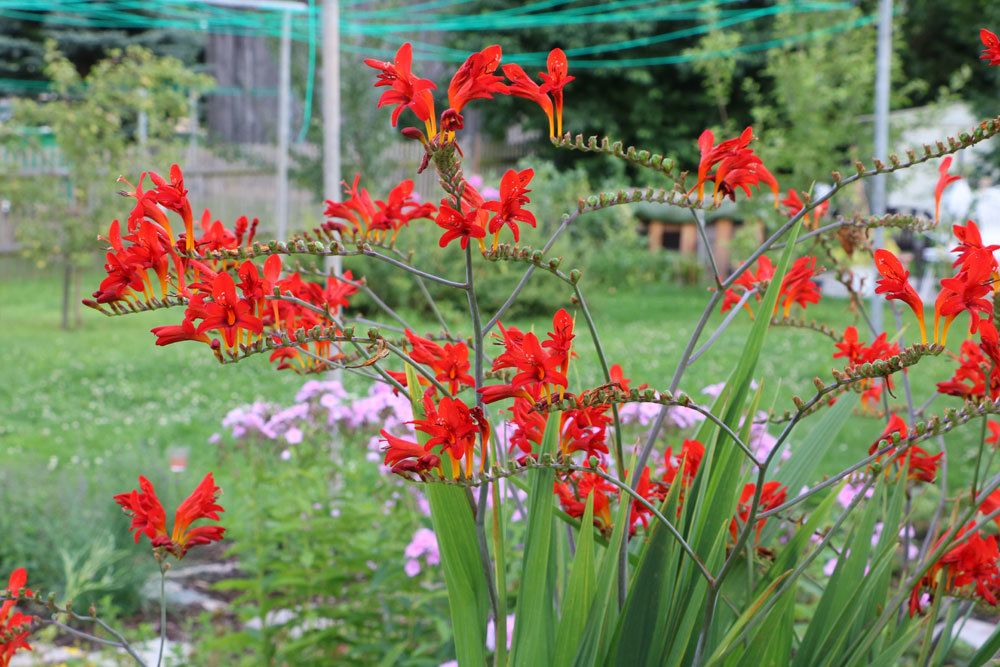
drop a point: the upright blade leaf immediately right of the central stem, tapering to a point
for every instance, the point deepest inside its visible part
(532, 643)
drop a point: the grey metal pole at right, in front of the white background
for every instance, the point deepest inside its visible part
(883, 69)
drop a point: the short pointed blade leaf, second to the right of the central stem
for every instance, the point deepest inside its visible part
(579, 592)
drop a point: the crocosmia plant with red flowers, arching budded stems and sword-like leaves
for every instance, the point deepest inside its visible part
(699, 552)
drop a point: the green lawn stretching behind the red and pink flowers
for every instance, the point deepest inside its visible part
(99, 392)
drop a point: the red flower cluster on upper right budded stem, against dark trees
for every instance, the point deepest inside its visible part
(735, 167)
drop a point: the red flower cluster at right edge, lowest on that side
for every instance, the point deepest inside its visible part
(974, 561)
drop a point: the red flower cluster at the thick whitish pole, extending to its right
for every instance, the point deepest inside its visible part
(380, 220)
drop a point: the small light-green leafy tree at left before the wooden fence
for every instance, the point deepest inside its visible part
(94, 121)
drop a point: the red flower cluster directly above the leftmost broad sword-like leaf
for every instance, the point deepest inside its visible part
(452, 427)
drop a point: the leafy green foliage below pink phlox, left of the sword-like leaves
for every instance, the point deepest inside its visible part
(320, 539)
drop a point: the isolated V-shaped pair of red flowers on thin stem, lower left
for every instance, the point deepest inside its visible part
(149, 519)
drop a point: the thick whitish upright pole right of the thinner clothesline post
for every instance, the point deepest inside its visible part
(331, 108)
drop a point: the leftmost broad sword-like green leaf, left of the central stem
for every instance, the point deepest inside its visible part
(455, 528)
